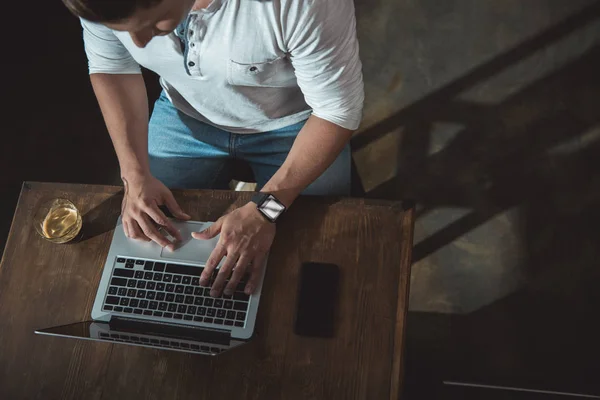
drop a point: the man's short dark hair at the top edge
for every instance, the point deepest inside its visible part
(107, 10)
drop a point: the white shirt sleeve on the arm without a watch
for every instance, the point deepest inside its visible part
(105, 52)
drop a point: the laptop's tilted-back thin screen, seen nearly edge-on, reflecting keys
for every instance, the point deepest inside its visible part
(163, 337)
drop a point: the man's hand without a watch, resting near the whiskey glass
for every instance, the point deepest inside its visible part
(140, 212)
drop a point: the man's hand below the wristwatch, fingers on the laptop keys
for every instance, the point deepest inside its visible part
(246, 237)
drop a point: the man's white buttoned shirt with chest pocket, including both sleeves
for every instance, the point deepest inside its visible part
(249, 66)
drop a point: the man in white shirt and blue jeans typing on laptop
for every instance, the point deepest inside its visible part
(276, 83)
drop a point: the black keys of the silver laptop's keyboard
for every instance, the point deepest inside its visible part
(172, 291)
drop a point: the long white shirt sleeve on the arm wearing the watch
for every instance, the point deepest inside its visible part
(321, 41)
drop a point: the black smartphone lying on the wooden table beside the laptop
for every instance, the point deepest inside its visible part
(317, 299)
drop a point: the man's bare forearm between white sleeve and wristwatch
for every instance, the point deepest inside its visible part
(317, 146)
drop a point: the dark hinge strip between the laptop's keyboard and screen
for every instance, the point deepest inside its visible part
(132, 325)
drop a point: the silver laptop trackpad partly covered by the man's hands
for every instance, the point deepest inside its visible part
(190, 249)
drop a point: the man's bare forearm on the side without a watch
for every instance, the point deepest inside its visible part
(124, 104)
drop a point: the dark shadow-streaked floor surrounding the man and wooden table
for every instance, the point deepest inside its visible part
(485, 112)
